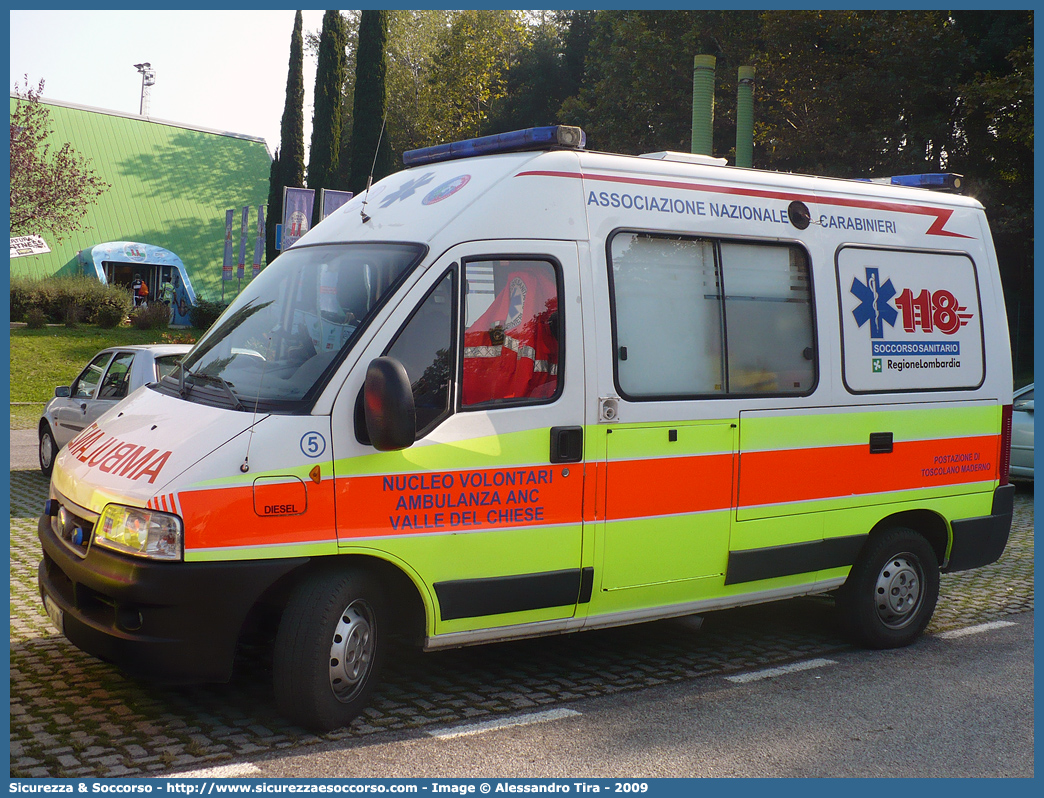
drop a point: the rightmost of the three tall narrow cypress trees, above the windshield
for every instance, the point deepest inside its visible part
(371, 100)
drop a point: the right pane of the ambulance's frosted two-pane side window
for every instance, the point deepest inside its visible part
(769, 315)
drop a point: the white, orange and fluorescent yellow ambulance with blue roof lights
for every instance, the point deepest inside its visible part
(524, 389)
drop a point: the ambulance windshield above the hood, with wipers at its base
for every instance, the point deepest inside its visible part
(286, 333)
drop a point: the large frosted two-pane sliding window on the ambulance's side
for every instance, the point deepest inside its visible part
(704, 318)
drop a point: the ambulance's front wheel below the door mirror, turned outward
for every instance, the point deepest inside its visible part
(329, 649)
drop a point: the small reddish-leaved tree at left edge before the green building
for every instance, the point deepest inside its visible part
(52, 190)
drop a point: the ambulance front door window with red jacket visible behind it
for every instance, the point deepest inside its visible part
(513, 339)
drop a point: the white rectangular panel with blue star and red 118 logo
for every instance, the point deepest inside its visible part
(910, 321)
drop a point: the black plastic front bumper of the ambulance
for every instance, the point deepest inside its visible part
(167, 621)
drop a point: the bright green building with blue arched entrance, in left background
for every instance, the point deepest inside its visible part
(164, 217)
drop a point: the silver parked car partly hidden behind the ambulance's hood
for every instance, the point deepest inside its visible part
(112, 374)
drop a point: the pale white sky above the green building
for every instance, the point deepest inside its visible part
(224, 71)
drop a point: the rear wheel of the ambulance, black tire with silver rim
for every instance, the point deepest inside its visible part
(891, 594)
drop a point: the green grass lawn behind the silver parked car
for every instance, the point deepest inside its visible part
(42, 360)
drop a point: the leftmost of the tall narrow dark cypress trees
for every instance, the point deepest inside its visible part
(289, 169)
